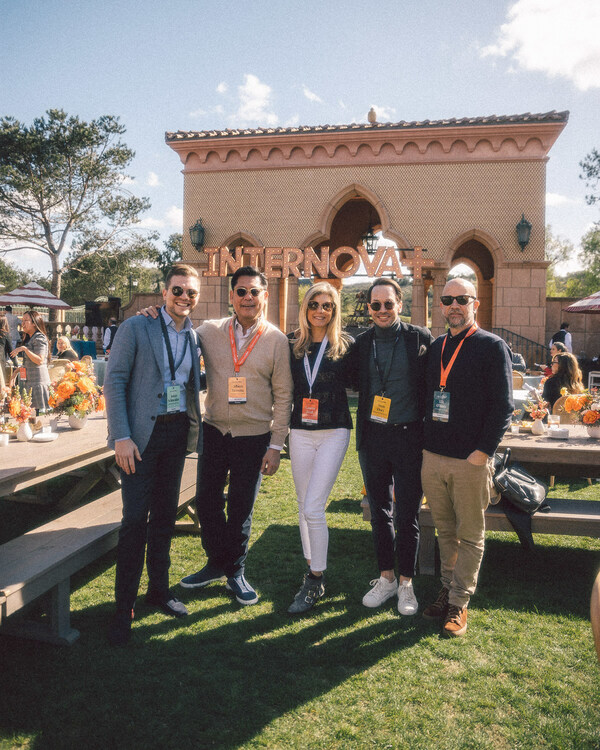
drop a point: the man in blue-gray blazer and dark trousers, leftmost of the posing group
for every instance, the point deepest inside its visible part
(152, 387)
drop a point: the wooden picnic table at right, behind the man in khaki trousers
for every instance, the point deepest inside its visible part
(577, 456)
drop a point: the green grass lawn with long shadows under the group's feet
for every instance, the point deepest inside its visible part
(525, 676)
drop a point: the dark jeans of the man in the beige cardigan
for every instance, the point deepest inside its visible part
(225, 539)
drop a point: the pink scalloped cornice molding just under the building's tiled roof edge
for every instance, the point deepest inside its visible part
(481, 142)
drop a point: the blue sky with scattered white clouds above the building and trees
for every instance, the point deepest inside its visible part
(195, 65)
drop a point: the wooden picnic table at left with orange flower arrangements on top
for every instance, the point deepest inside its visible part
(32, 464)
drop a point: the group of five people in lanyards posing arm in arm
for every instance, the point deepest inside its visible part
(430, 416)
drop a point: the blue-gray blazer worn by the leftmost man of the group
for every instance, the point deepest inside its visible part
(133, 384)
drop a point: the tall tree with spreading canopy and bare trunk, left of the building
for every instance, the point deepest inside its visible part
(62, 182)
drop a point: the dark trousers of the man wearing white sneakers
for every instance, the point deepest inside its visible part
(394, 453)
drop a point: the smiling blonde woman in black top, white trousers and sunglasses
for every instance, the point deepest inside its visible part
(320, 427)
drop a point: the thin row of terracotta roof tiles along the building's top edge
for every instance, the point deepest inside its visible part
(553, 116)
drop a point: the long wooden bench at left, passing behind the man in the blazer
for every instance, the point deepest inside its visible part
(43, 560)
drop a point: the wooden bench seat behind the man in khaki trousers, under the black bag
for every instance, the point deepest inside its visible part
(566, 517)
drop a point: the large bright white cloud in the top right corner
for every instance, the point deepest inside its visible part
(553, 37)
